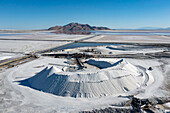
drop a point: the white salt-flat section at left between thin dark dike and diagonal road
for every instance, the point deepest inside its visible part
(27, 46)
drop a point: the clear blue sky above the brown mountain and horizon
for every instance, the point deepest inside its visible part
(41, 14)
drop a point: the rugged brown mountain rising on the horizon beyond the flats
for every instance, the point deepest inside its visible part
(76, 28)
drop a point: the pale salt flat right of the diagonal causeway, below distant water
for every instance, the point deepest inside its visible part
(130, 39)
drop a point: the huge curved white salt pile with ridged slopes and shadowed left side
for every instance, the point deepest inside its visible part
(109, 81)
